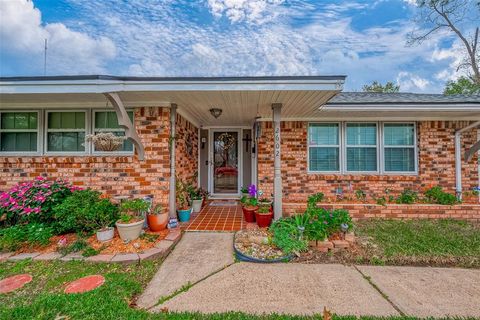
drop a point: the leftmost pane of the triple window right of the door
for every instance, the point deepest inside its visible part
(324, 147)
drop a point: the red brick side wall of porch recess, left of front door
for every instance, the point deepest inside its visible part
(186, 150)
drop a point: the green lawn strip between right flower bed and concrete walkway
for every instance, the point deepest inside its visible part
(428, 241)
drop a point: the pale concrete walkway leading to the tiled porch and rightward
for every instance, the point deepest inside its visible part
(304, 289)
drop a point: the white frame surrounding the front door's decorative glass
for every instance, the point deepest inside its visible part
(211, 186)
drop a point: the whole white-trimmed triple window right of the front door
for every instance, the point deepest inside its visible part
(362, 147)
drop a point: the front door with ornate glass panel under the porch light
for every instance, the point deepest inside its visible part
(225, 175)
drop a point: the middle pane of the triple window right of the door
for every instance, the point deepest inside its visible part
(361, 146)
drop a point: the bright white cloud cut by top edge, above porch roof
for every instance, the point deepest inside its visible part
(254, 11)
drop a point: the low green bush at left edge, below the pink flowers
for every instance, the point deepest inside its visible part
(33, 234)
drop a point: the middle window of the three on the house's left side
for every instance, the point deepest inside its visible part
(66, 131)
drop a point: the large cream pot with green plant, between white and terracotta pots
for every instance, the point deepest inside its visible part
(131, 219)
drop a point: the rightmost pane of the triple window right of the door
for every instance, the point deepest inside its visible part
(399, 147)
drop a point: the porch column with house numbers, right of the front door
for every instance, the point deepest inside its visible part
(277, 177)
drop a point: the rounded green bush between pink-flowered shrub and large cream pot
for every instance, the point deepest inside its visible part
(84, 211)
